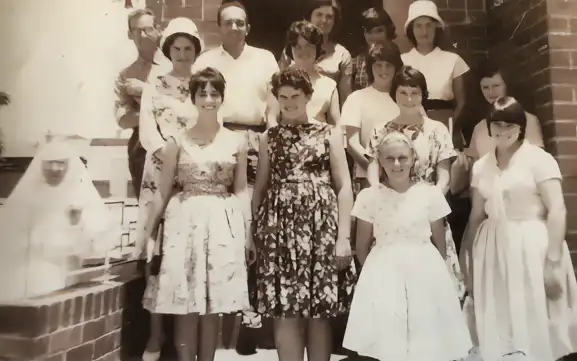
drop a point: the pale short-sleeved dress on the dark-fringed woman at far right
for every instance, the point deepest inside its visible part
(513, 315)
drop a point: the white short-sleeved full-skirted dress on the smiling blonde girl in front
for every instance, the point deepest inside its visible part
(405, 306)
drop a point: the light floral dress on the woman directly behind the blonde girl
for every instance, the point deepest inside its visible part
(433, 144)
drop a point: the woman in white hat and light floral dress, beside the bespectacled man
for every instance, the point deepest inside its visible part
(165, 110)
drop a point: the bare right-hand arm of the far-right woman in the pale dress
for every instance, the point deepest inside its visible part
(552, 196)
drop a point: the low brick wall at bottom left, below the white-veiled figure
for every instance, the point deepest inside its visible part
(82, 324)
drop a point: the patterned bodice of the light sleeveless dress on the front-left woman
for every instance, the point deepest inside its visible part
(207, 170)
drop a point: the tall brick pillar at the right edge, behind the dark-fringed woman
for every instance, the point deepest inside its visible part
(536, 41)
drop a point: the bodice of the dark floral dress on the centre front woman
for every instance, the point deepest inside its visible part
(300, 153)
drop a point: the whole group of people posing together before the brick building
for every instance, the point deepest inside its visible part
(242, 166)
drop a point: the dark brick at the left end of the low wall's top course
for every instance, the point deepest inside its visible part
(23, 321)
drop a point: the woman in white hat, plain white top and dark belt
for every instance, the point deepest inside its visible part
(443, 70)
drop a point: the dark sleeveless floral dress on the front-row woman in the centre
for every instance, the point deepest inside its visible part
(296, 230)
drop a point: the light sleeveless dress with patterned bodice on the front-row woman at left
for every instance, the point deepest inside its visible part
(203, 268)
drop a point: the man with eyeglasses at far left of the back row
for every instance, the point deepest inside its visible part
(131, 81)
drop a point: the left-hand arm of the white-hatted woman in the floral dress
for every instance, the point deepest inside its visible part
(150, 137)
